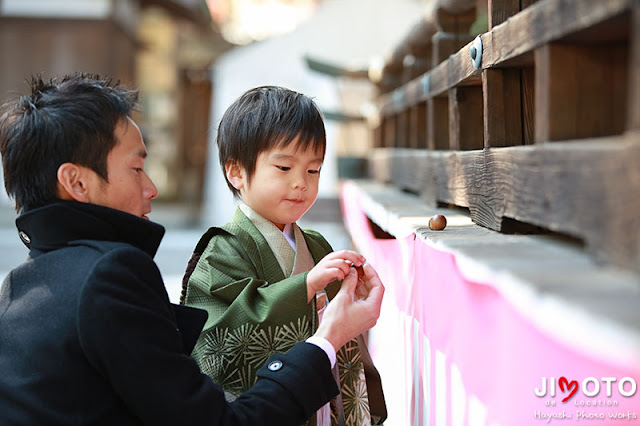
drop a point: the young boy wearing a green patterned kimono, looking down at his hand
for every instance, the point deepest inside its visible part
(263, 280)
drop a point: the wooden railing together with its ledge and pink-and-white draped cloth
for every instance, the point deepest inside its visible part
(527, 138)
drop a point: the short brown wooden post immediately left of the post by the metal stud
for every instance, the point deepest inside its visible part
(466, 129)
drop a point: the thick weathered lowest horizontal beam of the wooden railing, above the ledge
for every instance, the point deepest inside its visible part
(554, 186)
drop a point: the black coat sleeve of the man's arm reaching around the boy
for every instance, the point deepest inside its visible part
(128, 332)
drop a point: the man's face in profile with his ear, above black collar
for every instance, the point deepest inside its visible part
(129, 188)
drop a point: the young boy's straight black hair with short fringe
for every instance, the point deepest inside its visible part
(264, 118)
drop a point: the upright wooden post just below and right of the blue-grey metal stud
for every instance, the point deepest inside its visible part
(502, 107)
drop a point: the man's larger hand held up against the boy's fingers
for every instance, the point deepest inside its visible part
(355, 309)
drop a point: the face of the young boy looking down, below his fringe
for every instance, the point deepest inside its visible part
(284, 185)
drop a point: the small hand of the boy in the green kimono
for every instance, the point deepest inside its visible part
(334, 266)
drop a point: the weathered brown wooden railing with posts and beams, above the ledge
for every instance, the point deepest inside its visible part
(545, 131)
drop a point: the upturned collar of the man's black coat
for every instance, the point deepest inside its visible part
(56, 225)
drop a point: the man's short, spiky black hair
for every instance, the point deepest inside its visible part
(68, 120)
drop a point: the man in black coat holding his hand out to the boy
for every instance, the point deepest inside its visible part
(87, 333)
